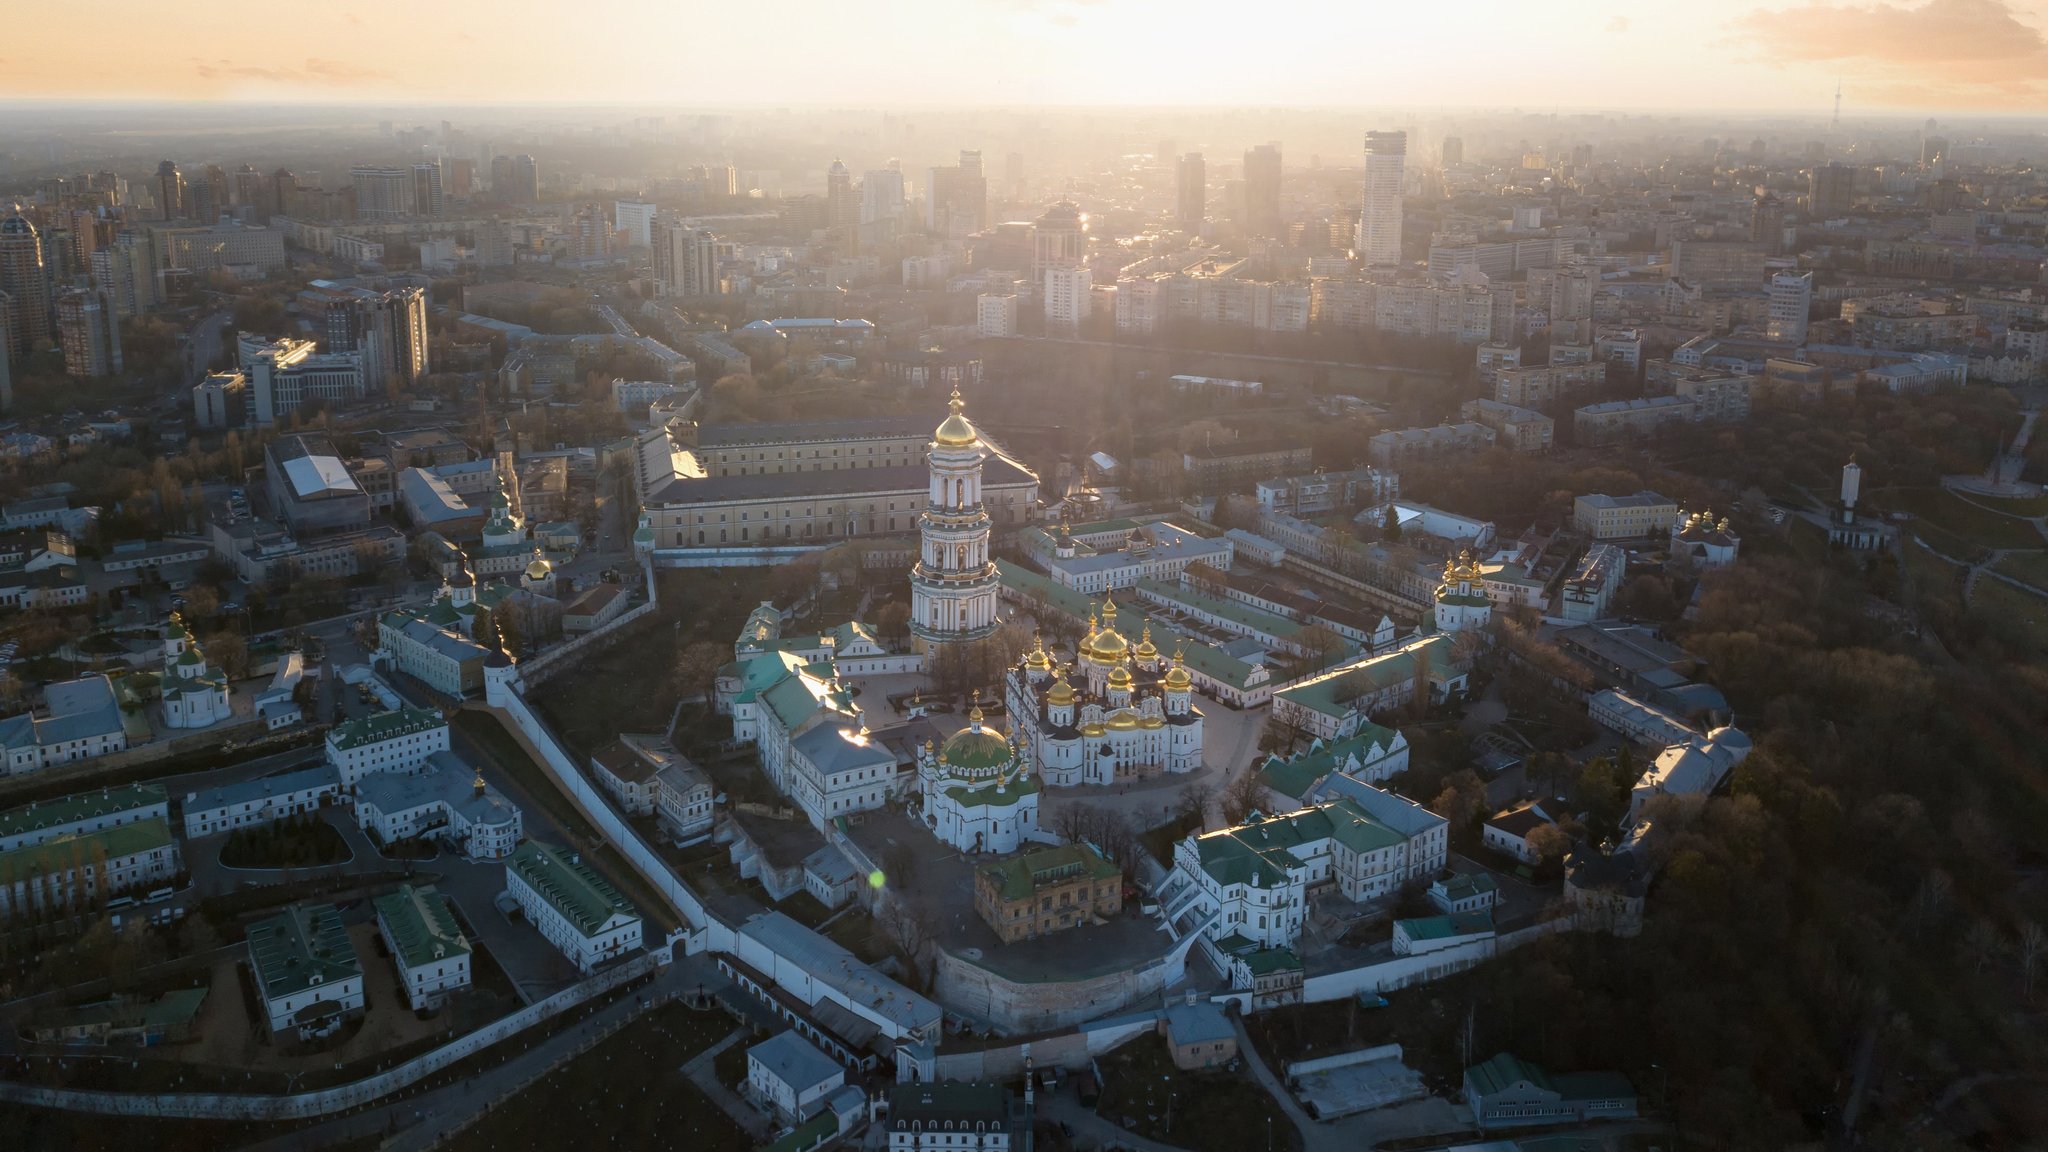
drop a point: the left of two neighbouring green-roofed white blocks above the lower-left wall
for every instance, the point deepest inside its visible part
(306, 971)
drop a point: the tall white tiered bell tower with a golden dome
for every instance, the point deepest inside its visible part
(953, 587)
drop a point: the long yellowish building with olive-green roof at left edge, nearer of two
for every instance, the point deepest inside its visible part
(85, 870)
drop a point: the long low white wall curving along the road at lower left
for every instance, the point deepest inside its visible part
(325, 1102)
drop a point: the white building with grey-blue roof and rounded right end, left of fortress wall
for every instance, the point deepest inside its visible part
(441, 800)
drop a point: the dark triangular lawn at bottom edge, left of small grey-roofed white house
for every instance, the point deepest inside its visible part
(624, 1094)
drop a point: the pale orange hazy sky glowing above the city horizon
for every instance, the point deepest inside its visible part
(1533, 54)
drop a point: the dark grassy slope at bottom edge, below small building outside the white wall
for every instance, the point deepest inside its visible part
(1207, 1112)
